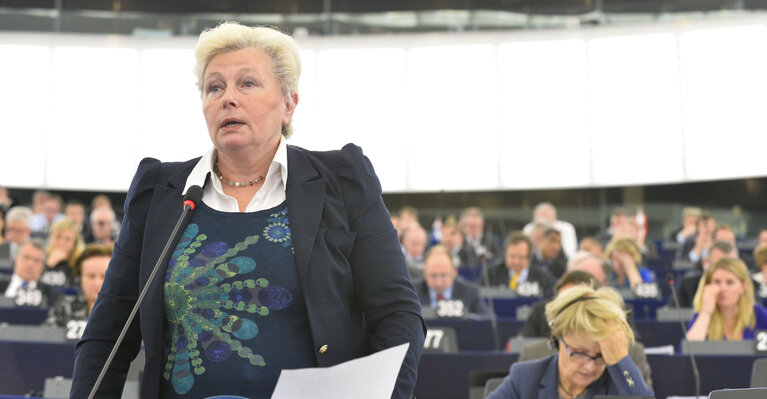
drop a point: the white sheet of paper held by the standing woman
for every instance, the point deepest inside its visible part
(370, 377)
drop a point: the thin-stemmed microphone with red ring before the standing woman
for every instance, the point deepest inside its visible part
(191, 198)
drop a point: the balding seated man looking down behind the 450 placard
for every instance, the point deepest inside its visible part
(441, 283)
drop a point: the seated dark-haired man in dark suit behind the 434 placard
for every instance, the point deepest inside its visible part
(515, 270)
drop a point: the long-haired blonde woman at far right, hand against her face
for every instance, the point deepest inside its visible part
(725, 304)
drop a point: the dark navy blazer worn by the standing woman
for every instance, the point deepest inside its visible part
(359, 298)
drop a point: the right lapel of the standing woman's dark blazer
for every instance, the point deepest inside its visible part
(305, 194)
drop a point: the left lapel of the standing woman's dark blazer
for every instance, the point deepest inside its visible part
(164, 211)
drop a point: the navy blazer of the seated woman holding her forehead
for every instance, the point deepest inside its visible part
(539, 379)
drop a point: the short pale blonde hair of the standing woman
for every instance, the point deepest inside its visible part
(229, 36)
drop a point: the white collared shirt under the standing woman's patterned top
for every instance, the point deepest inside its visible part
(271, 194)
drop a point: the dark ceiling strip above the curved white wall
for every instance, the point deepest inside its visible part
(333, 17)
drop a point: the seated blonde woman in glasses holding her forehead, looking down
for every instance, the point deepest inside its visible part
(589, 329)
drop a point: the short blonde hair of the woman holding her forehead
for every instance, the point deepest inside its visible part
(595, 318)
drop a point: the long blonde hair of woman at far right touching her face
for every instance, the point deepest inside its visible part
(745, 316)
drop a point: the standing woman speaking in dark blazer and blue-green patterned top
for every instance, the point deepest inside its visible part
(289, 261)
